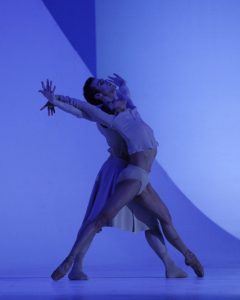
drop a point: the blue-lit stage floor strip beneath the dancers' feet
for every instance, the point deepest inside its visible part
(217, 284)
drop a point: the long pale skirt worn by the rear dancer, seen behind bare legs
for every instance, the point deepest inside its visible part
(132, 217)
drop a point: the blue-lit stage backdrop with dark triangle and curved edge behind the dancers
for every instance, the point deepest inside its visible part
(181, 61)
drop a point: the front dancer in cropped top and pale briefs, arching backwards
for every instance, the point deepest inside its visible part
(132, 180)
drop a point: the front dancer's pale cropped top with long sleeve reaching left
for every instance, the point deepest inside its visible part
(135, 132)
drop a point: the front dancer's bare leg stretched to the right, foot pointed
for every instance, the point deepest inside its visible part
(151, 200)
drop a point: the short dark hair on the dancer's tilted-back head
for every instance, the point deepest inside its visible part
(89, 94)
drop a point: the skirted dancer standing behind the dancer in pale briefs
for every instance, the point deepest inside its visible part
(132, 217)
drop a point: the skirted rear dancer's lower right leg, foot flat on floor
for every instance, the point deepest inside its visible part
(155, 239)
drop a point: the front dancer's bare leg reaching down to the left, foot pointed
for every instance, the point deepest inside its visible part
(125, 191)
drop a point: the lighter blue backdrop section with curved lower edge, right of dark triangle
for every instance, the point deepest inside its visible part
(181, 60)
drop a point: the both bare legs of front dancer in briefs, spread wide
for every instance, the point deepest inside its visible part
(125, 192)
